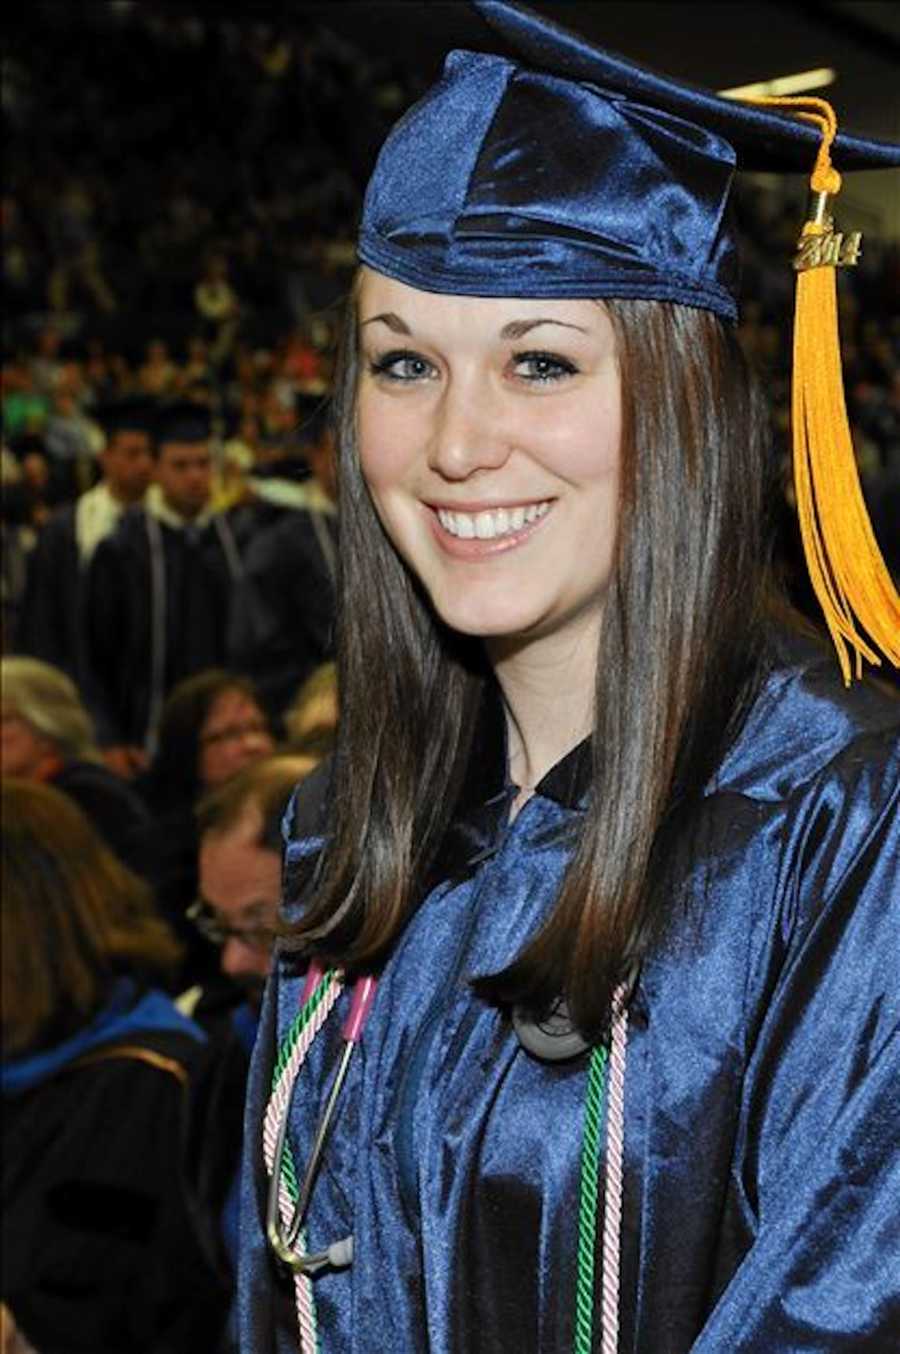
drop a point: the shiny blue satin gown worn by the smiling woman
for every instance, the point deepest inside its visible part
(763, 1150)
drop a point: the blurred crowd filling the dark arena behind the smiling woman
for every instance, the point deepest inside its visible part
(173, 270)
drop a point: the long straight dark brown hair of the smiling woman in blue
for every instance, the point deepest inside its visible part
(680, 651)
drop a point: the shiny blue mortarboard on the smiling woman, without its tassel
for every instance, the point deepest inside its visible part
(547, 167)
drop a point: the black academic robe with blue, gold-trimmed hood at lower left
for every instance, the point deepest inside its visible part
(99, 1231)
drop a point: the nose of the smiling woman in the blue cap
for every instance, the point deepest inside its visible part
(470, 433)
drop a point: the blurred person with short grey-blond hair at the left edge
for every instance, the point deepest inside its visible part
(47, 736)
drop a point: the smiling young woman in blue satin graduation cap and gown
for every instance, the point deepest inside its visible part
(612, 840)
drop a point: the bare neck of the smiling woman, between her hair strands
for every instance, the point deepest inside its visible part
(549, 693)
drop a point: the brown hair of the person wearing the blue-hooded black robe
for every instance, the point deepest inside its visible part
(72, 916)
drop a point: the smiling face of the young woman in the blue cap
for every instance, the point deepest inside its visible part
(489, 437)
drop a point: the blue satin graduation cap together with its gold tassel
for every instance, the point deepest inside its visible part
(546, 167)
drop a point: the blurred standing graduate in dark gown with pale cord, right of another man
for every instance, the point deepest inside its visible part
(159, 592)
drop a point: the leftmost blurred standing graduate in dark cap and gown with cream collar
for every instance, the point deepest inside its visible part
(52, 621)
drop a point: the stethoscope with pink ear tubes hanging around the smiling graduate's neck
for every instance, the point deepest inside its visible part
(553, 1041)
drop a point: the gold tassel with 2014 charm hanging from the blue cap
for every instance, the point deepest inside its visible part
(845, 564)
